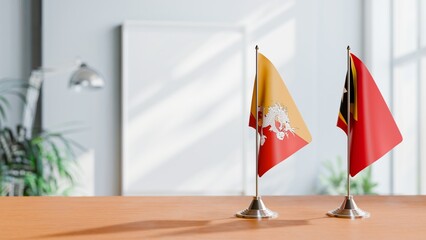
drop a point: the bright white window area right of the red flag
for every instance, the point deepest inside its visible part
(395, 60)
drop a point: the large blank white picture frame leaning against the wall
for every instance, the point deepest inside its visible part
(183, 109)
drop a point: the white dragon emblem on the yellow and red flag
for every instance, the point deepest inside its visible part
(276, 114)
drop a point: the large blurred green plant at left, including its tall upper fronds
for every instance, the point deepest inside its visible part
(33, 166)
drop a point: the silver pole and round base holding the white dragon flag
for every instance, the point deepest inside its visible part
(257, 208)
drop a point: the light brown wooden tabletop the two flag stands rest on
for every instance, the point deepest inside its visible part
(392, 217)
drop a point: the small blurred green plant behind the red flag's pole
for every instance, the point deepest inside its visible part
(334, 179)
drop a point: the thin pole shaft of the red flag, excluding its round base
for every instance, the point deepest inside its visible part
(349, 121)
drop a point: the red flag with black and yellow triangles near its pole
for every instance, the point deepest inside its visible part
(373, 129)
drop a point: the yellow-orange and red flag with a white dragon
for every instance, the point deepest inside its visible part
(280, 125)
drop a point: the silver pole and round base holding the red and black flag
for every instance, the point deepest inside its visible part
(348, 209)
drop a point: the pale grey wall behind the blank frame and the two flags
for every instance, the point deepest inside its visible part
(305, 39)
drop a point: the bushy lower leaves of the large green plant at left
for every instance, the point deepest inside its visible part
(46, 159)
